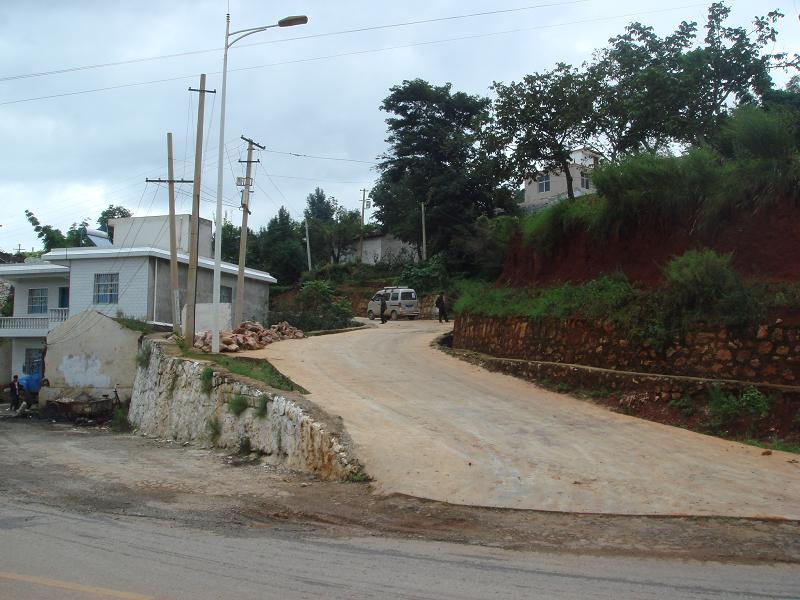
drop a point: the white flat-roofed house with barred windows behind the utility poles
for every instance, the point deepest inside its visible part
(128, 277)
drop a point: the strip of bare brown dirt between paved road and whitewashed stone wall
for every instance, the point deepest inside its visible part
(90, 470)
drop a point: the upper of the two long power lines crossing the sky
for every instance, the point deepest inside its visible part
(292, 39)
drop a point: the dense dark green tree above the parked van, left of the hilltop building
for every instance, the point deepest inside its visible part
(434, 158)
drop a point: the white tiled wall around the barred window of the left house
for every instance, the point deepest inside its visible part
(133, 285)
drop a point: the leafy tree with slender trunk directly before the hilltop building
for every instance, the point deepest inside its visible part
(539, 120)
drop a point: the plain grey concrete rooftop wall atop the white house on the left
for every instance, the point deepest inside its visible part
(154, 232)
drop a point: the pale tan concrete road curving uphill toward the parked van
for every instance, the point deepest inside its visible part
(429, 425)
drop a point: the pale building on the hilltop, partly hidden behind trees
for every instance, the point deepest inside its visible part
(551, 187)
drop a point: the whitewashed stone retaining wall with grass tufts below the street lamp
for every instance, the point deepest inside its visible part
(168, 401)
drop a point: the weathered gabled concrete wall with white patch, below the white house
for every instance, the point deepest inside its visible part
(93, 353)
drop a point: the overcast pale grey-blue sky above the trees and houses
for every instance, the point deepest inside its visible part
(311, 89)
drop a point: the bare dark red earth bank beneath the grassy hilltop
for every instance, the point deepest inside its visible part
(765, 245)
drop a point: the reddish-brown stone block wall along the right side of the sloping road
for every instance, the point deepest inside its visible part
(769, 353)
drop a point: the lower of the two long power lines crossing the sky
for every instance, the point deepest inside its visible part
(354, 53)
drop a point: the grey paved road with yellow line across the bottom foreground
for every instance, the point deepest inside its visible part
(51, 554)
